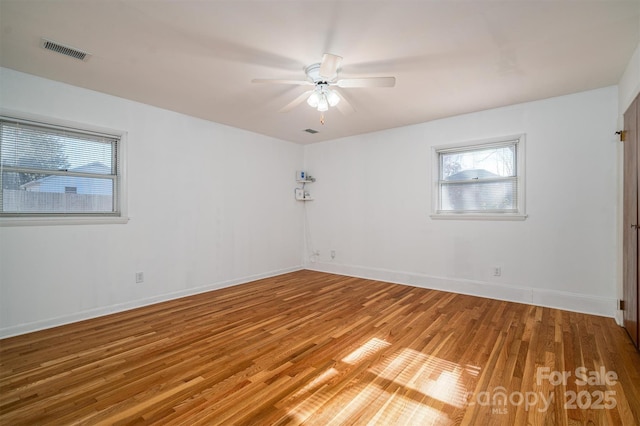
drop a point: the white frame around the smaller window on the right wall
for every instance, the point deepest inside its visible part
(437, 213)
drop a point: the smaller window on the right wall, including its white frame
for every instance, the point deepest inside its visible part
(481, 180)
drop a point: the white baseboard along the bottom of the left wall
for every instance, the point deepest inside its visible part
(121, 307)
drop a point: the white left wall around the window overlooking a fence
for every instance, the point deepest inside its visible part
(210, 206)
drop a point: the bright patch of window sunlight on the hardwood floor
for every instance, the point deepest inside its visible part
(408, 387)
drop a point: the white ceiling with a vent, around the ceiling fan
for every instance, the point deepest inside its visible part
(449, 57)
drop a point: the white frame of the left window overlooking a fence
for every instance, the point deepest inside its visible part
(75, 218)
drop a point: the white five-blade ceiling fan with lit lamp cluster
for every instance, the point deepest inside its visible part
(324, 77)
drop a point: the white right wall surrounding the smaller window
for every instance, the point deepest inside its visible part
(372, 204)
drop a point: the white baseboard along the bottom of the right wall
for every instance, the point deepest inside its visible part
(568, 301)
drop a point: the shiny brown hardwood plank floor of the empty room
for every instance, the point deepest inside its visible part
(323, 349)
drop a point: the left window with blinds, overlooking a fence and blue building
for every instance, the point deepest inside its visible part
(50, 171)
